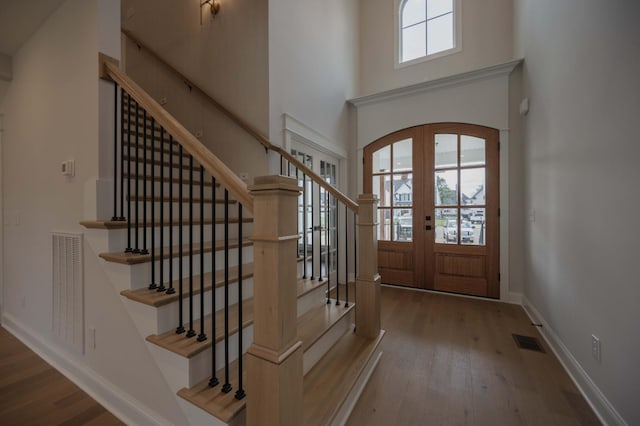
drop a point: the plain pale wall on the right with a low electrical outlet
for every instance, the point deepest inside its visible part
(581, 177)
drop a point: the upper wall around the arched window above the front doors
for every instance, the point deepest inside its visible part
(486, 40)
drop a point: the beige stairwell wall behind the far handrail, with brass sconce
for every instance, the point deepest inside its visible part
(227, 57)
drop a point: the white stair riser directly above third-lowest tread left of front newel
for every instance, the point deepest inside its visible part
(133, 277)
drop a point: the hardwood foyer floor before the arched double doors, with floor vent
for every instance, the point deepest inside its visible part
(453, 361)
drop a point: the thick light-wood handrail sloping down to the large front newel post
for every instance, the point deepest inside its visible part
(212, 164)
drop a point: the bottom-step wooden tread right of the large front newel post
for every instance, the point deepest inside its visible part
(338, 371)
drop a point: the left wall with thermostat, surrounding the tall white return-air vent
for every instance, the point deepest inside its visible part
(51, 113)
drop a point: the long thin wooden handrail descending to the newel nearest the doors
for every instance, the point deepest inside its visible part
(352, 205)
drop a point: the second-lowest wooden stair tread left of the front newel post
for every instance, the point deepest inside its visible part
(190, 347)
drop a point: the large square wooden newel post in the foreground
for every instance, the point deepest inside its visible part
(274, 360)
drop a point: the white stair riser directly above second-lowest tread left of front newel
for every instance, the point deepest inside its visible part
(151, 320)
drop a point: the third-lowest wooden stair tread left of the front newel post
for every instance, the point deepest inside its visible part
(161, 298)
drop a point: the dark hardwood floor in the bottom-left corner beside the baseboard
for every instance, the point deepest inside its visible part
(34, 393)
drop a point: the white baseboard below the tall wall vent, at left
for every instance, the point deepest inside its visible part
(114, 399)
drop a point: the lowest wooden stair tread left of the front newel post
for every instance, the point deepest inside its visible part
(222, 405)
